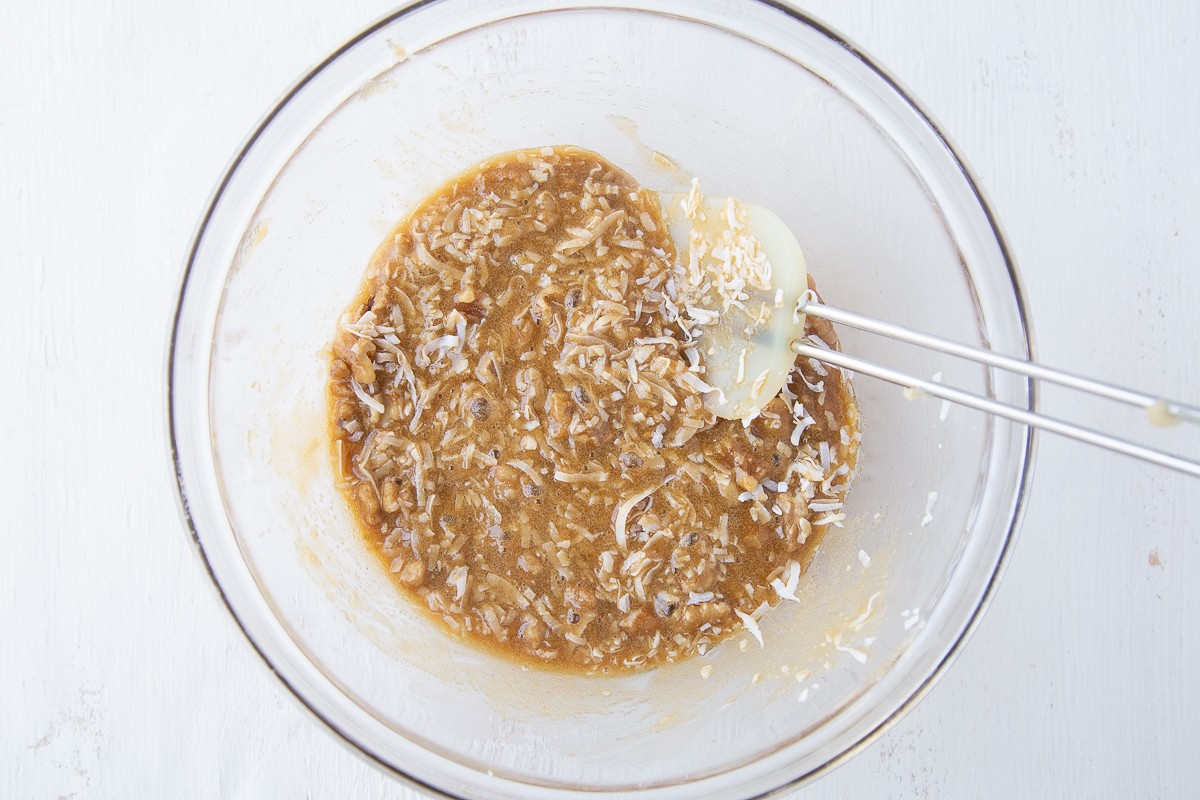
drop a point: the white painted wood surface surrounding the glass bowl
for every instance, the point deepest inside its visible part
(123, 675)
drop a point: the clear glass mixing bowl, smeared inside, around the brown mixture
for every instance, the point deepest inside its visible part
(763, 104)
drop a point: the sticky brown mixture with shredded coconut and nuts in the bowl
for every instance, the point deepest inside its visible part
(513, 428)
